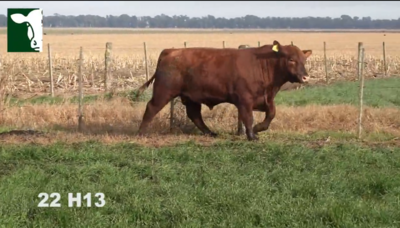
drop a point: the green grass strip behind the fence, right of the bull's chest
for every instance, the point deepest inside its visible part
(384, 92)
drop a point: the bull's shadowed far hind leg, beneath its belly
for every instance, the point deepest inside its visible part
(193, 110)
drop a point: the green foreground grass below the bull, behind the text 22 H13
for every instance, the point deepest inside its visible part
(225, 185)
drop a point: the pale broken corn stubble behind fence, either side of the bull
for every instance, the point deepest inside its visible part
(127, 67)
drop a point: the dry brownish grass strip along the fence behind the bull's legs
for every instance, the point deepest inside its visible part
(119, 119)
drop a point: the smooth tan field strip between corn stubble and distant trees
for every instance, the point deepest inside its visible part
(125, 44)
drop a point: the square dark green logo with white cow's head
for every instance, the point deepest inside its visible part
(25, 30)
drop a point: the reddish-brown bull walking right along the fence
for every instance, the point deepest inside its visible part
(248, 78)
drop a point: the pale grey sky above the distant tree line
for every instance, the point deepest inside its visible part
(373, 9)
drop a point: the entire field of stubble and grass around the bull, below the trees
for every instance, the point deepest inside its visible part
(308, 170)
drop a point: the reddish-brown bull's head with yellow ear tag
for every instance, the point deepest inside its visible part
(294, 61)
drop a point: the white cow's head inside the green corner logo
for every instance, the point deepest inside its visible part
(34, 24)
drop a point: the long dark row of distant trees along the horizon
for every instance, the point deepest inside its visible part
(249, 21)
